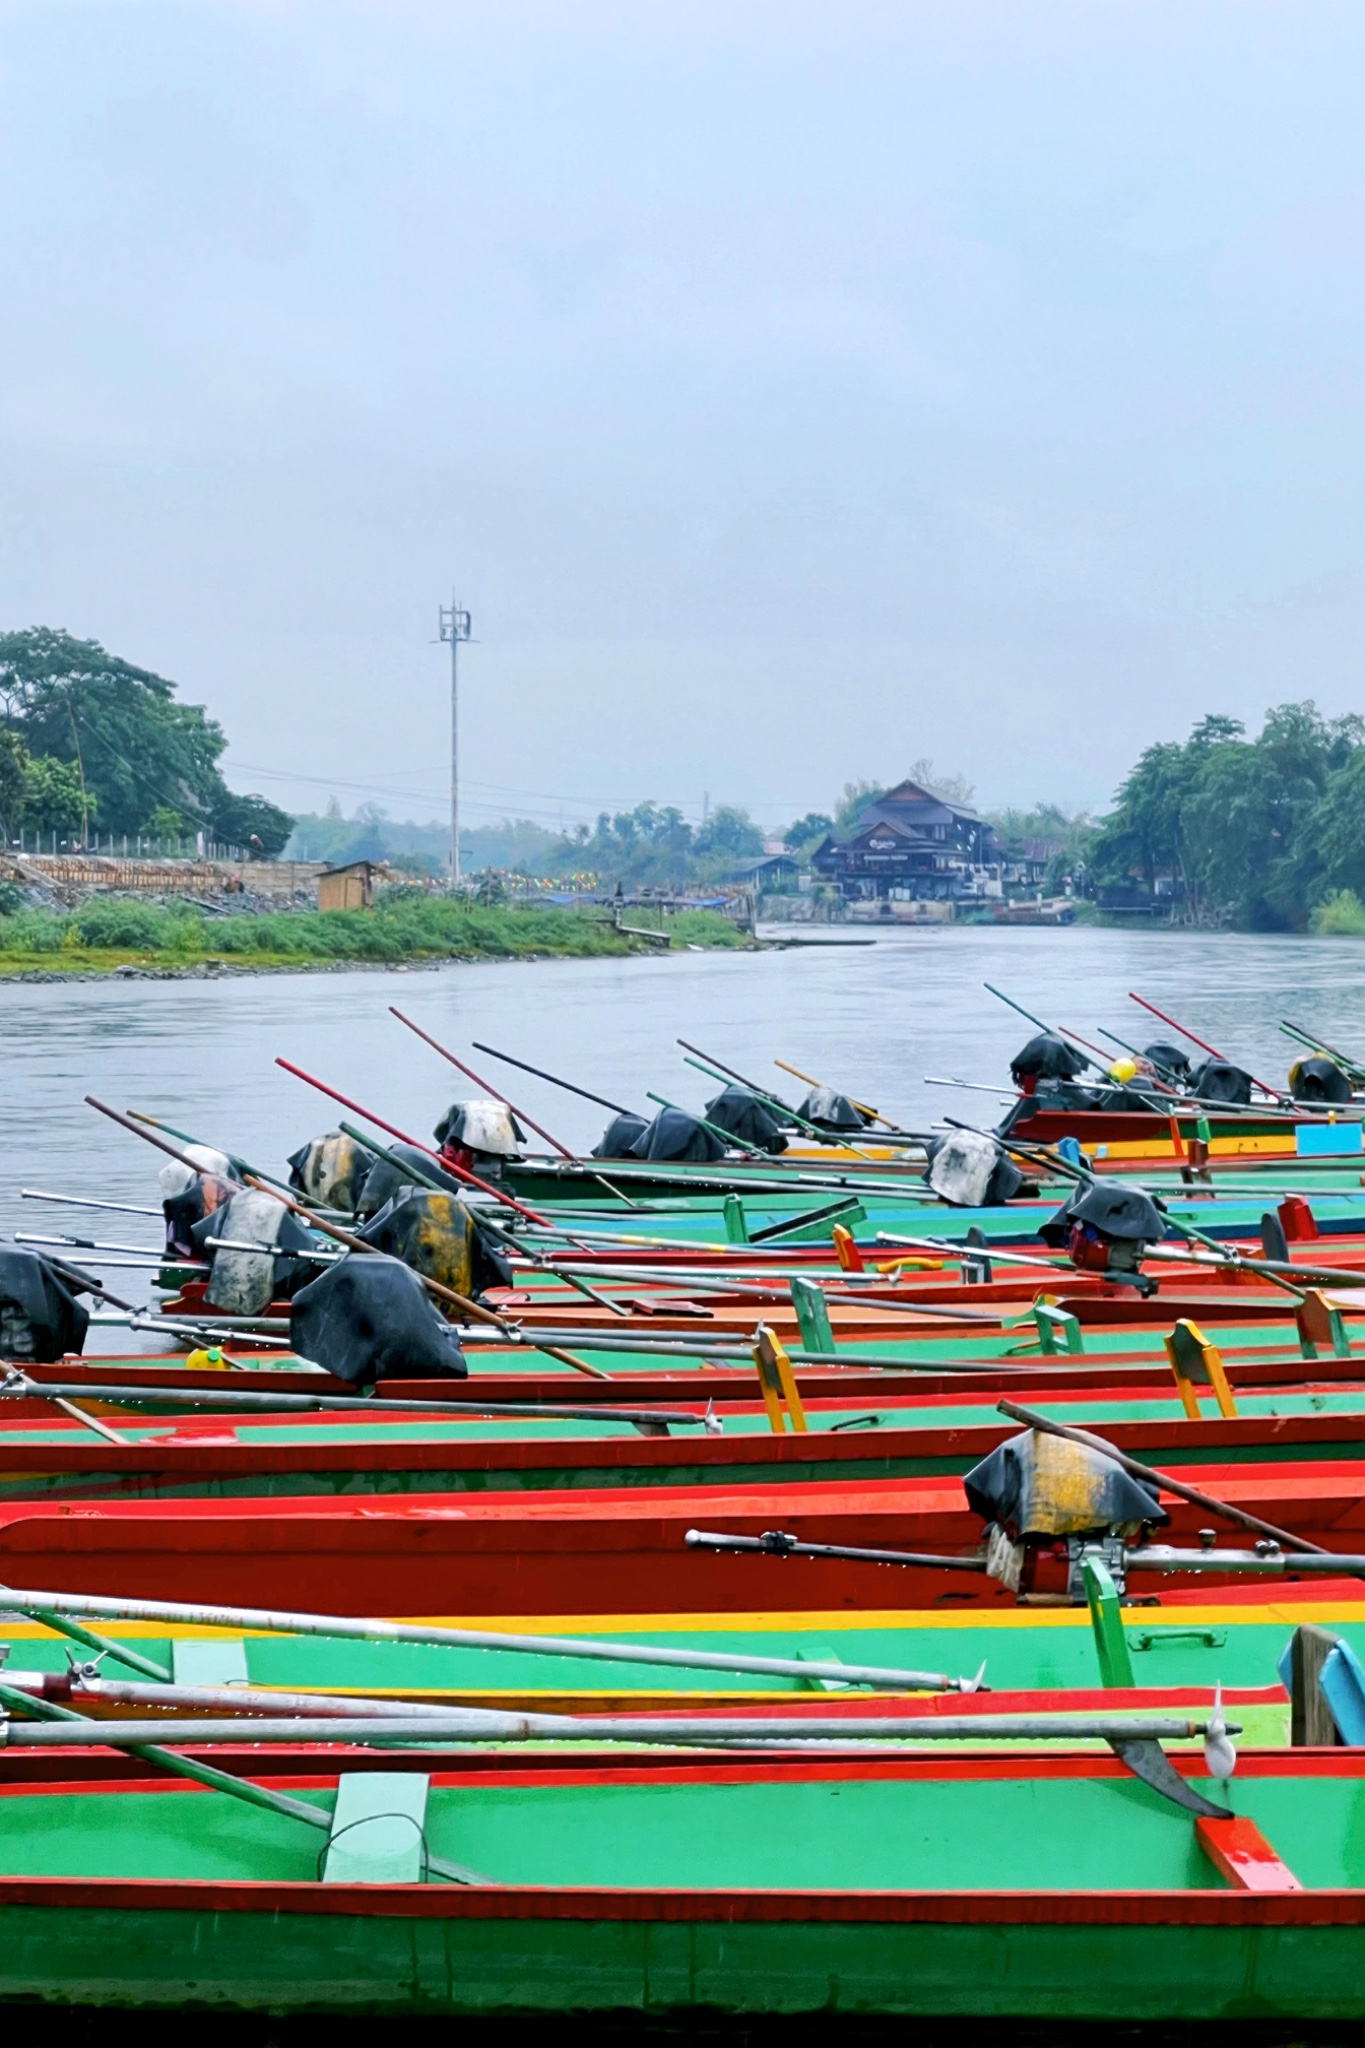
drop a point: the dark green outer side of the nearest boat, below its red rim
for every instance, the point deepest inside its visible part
(682, 1959)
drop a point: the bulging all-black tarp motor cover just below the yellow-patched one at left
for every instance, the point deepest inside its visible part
(371, 1320)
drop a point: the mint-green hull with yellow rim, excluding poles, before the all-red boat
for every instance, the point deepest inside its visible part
(1194, 1641)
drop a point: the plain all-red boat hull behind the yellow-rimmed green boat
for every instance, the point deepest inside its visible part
(537, 1553)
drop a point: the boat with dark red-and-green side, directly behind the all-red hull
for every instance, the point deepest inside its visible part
(895, 1437)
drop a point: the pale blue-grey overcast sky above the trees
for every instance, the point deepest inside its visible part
(789, 390)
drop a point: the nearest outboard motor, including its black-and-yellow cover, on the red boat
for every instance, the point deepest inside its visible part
(1045, 1502)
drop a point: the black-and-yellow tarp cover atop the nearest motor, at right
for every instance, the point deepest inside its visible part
(1047, 1486)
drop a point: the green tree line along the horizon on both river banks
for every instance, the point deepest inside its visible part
(1262, 833)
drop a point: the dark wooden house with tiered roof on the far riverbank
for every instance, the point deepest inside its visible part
(916, 847)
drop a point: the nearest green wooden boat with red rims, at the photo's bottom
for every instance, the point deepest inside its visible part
(691, 1889)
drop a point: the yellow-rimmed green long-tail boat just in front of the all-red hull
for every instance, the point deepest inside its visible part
(1196, 1639)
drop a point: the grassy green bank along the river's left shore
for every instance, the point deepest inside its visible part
(109, 933)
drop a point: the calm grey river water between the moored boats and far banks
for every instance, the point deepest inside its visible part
(869, 1019)
